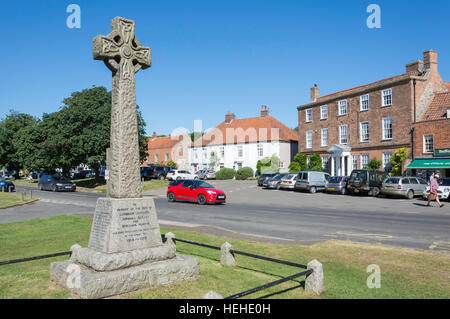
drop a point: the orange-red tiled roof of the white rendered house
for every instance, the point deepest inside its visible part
(254, 129)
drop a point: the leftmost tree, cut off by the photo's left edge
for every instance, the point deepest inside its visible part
(11, 129)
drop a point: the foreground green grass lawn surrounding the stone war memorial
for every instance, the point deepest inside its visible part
(405, 273)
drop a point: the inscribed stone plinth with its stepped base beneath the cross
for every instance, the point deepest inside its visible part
(125, 253)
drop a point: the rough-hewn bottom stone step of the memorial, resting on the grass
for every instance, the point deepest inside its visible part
(84, 282)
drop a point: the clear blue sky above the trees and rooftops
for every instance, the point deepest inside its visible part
(210, 57)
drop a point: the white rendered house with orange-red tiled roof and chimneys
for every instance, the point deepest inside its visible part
(237, 143)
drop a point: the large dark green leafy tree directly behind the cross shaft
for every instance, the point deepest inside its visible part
(78, 133)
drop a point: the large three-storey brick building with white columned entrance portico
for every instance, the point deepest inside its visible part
(353, 126)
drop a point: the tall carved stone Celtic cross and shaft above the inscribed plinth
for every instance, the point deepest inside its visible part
(124, 55)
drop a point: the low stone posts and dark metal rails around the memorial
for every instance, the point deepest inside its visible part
(313, 272)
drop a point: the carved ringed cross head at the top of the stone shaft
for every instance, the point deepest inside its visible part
(120, 49)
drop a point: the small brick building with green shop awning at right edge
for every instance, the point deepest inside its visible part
(431, 139)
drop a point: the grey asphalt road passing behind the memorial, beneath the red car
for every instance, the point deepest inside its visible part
(278, 216)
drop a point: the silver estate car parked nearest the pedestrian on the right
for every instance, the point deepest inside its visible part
(403, 186)
